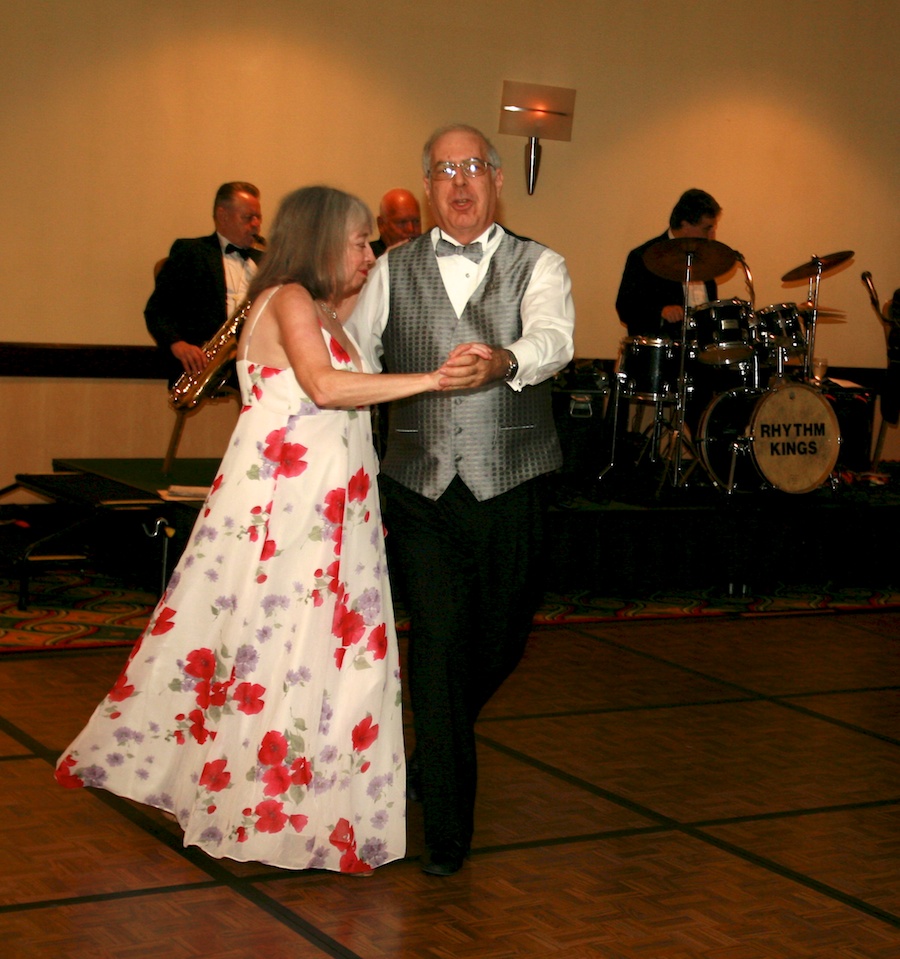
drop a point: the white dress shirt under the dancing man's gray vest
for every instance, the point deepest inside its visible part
(548, 313)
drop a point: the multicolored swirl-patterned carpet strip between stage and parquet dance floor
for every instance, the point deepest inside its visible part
(73, 610)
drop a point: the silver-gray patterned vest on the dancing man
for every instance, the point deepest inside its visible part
(495, 438)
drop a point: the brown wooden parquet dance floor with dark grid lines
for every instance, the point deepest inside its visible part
(724, 789)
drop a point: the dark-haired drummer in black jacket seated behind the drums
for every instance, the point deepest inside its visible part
(651, 306)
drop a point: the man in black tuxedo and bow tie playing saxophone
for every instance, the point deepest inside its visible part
(204, 279)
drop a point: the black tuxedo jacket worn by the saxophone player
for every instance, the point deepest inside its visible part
(189, 300)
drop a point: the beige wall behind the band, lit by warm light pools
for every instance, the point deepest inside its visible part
(122, 116)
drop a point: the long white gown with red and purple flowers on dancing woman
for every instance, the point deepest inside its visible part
(262, 705)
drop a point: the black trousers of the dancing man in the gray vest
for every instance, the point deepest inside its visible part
(470, 575)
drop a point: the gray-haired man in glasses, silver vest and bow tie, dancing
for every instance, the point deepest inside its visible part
(462, 474)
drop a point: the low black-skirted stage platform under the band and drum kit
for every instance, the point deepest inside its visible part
(627, 533)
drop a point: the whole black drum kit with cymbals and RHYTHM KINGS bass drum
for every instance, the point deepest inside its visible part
(734, 393)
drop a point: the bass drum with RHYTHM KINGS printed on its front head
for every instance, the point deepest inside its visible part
(787, 437)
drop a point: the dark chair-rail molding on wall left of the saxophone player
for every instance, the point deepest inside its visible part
(79, 360)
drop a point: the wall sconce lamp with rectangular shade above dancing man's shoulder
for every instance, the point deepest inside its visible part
(535, 111)
